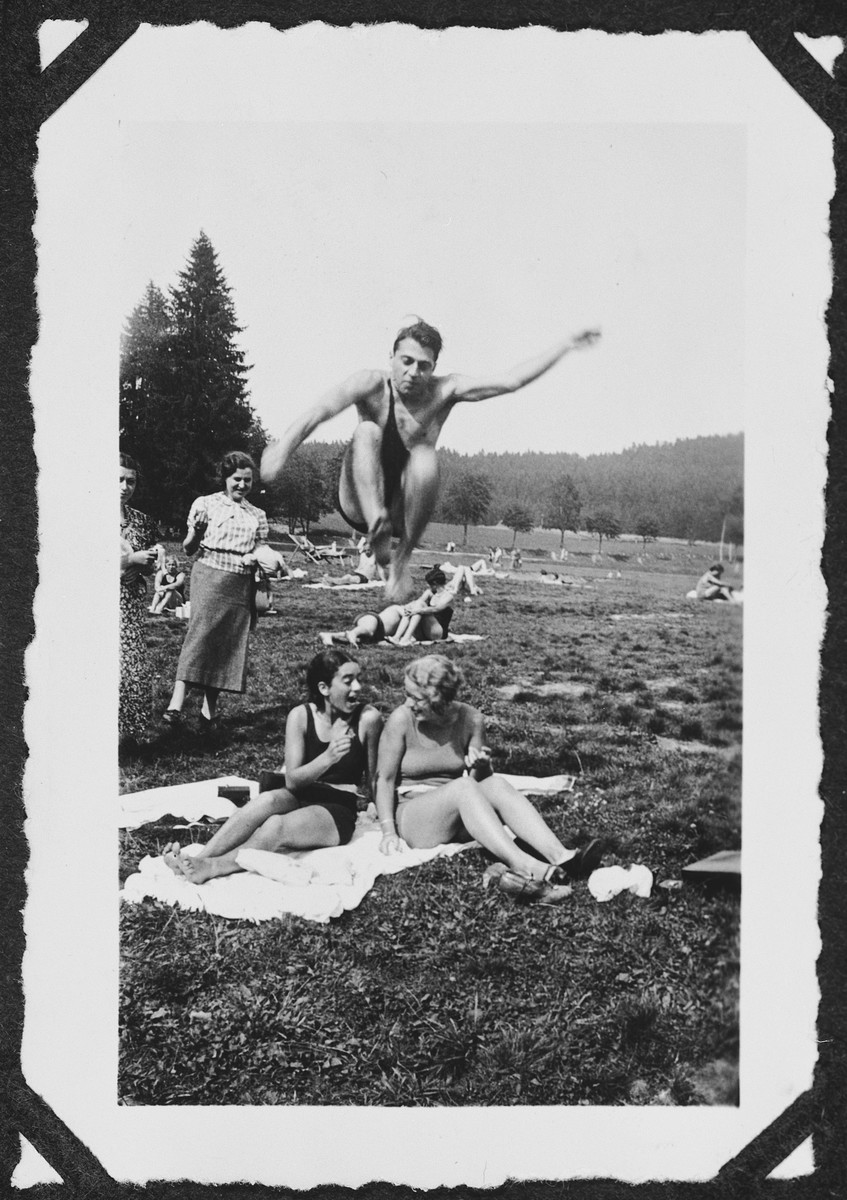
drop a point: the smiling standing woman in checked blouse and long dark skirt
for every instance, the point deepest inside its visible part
(227, 531)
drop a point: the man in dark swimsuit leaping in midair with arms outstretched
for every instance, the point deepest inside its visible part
(389, 477)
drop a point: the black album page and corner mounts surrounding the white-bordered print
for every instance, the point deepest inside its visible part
(29, 98)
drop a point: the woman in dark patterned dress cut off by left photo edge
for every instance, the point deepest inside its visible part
(139, 559)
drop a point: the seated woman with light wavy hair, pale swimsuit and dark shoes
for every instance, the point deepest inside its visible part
(436, 785)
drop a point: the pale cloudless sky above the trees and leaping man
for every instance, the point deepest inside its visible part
(504, 236)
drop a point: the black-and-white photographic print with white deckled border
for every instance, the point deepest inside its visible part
(471, 440)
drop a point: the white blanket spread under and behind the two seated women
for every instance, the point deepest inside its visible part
(317, 885)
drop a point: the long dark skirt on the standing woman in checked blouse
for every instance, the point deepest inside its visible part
(215, 649)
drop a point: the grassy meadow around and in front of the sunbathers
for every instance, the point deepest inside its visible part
(436, 992)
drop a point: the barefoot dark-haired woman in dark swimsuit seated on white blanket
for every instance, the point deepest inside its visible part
(331, 746)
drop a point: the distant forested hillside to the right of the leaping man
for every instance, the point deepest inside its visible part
(688, 489)
